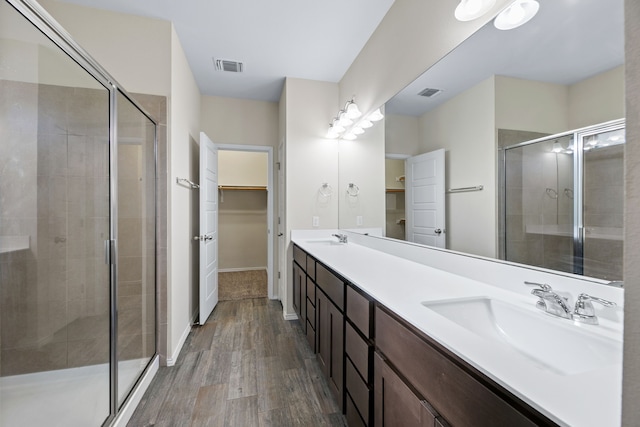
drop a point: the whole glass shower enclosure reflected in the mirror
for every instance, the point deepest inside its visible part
(562, 199)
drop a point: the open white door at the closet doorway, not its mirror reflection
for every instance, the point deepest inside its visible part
(208, 227)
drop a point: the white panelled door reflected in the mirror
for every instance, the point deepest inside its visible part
(424, 199)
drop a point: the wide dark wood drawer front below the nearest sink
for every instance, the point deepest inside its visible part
(443, 383)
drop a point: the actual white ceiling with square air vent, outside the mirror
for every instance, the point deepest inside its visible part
(306, 39)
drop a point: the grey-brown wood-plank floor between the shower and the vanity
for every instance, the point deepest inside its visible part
(245, 367)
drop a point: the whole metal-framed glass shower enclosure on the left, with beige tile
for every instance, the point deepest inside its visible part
(77, 230)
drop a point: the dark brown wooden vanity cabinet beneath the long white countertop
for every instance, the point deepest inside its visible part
(385, 372)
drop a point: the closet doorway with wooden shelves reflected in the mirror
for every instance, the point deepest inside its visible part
(394, 197)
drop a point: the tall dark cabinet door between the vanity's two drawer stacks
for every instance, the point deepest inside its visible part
(330, 344)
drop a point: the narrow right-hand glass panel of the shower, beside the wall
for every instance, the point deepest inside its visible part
(135, 286)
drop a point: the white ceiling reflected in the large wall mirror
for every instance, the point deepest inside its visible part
(567, 41)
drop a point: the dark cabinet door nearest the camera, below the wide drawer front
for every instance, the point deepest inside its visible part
(394, 402)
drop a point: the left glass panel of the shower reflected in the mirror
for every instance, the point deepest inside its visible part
(539, 204)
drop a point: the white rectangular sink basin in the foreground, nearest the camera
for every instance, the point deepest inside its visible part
(553, 343)
